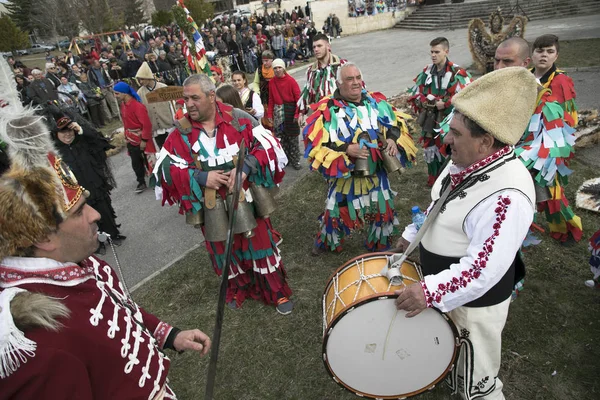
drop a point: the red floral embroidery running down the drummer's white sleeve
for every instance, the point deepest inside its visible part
(479, 264)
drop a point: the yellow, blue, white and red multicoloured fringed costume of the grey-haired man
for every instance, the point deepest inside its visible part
(353, 200)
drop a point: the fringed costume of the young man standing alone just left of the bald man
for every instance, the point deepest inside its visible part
(431, 86)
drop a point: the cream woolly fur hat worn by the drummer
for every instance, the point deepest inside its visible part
(501, 102)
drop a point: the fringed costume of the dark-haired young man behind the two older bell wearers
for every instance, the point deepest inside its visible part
(320, 82)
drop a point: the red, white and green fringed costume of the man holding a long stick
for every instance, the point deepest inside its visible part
(257, 269)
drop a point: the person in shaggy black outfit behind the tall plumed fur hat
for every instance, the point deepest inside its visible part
(83, 148)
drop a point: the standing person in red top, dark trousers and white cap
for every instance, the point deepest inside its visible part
(284, 94)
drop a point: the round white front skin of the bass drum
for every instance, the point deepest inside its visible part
(375, 351)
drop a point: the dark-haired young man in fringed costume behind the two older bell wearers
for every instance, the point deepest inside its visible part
(321, 75)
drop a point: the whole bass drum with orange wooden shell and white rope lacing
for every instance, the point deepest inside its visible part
(370, 347)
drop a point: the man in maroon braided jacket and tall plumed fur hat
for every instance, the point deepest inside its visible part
(68, 328)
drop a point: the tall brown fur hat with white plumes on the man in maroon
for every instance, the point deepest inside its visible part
(38, 190)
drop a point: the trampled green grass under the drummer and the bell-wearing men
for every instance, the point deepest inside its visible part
(554, 324)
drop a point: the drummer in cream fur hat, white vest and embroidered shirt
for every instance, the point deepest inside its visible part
(470, 253)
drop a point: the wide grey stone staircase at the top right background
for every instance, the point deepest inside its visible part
(454, 16)
